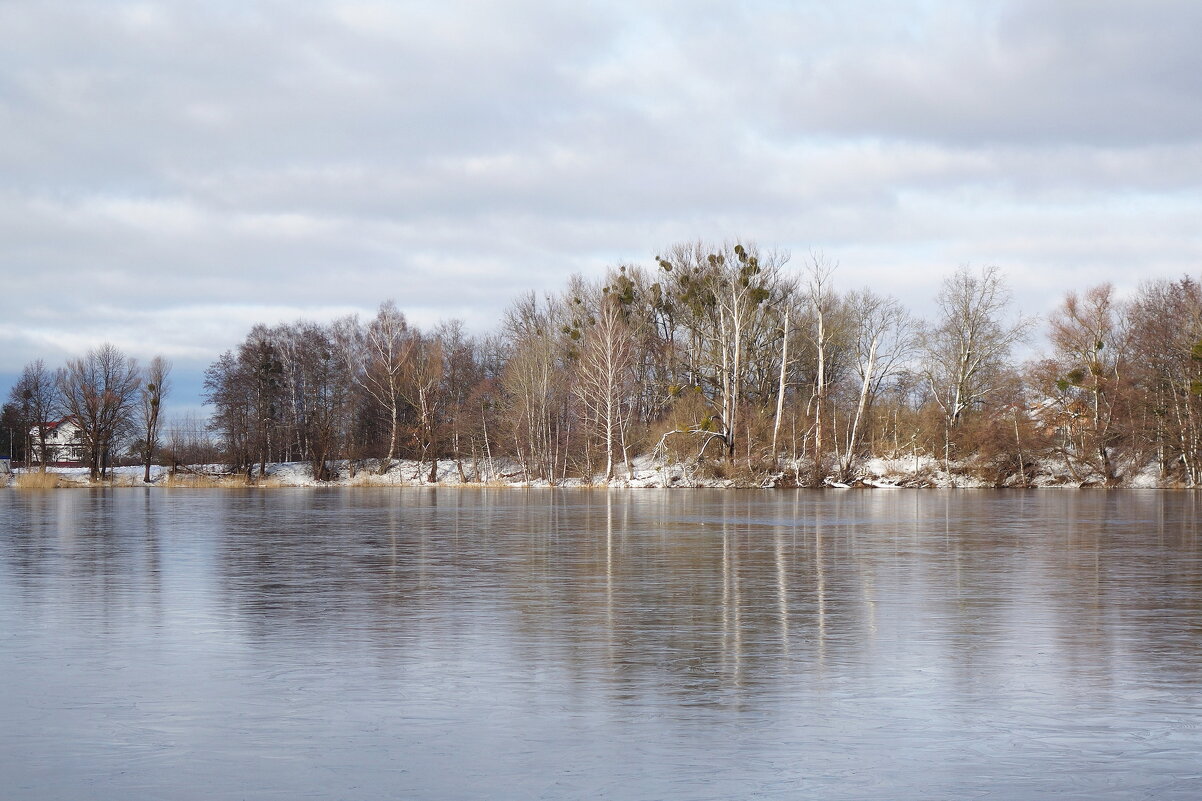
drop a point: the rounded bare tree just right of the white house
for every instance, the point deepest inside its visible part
(99, 390)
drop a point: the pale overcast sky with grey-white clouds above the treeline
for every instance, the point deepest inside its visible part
(172, 173)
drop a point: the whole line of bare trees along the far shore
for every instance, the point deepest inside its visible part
(721, 365)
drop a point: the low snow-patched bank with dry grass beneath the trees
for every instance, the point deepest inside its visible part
(644, 473)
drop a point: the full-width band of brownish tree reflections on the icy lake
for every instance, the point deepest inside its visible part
(701, 595)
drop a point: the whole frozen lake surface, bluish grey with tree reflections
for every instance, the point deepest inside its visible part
(462, 644)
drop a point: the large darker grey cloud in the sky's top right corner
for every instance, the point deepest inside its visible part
(1039, 74)
